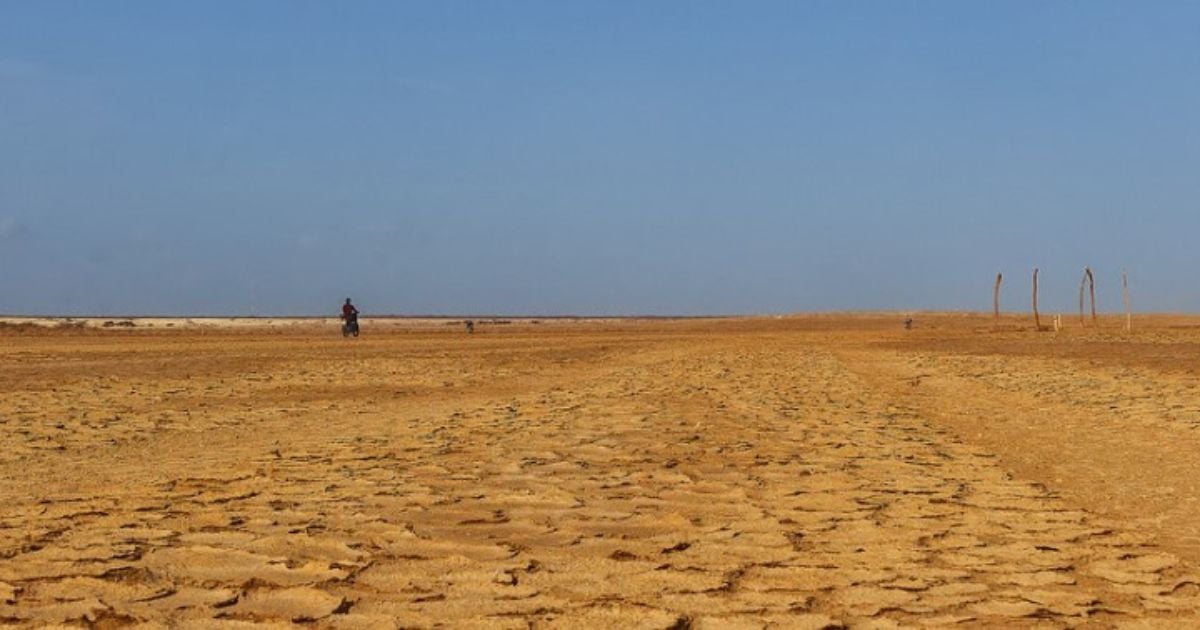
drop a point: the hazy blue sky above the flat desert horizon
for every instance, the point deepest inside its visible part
(596, 158)
